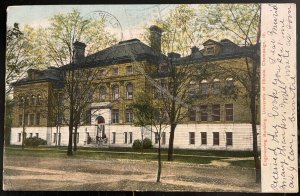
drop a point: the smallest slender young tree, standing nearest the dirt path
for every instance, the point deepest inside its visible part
(147, 112)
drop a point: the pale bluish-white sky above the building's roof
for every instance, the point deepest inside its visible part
(132, 18)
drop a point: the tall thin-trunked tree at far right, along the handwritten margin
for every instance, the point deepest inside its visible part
(241, 22)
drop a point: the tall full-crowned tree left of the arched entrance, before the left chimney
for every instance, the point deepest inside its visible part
(57, 49)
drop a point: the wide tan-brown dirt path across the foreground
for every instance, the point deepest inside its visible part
(27, 173)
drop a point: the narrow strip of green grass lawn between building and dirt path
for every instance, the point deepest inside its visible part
(180, 155)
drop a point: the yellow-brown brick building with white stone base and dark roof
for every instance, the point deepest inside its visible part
(213, 123)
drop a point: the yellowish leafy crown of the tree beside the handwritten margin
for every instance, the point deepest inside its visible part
(238, 22)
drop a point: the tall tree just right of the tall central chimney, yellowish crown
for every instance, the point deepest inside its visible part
(181, 33)
